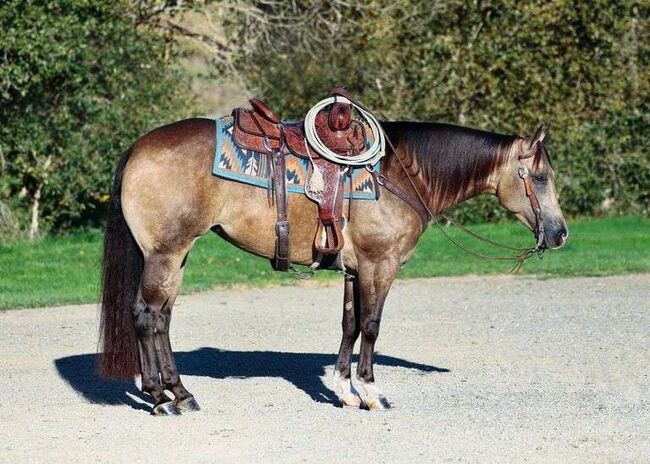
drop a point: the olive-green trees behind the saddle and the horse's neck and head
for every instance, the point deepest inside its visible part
(502, 65)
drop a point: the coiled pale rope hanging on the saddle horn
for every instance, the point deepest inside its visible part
(371, 156)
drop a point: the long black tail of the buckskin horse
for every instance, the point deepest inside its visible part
(121, 272)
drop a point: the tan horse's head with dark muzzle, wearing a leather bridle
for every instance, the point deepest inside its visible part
(526, 187)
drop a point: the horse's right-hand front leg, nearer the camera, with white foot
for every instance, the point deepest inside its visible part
(375, 280)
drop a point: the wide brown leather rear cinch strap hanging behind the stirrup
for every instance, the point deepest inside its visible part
(281, 260)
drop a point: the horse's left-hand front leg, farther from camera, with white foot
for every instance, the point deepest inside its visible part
(350, 325)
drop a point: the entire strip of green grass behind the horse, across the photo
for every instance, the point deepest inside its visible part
(60, 270)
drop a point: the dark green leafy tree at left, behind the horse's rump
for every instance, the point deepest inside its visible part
(79, 82)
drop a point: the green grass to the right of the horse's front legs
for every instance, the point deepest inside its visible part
(596, 247)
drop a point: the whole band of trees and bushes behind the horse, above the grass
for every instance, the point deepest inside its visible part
(81, 80)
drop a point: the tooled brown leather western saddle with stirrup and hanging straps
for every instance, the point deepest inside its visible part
(259, 129)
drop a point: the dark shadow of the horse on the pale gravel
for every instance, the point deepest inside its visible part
(303, 370)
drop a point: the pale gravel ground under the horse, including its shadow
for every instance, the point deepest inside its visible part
(478, 369)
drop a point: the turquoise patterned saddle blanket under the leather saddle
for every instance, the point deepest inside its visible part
(250, 167)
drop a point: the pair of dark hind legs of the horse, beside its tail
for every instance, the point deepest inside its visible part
(152, 314)
